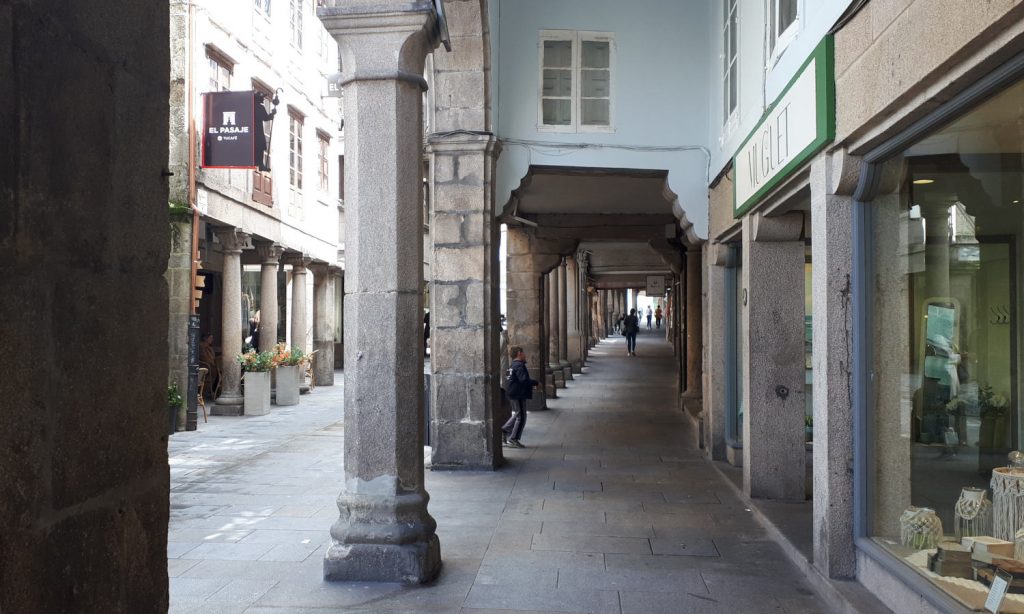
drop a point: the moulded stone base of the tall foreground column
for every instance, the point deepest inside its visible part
(383, 539)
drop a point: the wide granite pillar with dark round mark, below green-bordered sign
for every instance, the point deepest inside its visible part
(774, 352)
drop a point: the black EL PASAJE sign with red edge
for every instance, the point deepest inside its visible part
(229, 130)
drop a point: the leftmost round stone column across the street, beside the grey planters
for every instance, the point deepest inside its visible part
(230, 402)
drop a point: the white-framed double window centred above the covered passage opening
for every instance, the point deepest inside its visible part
(576, 81)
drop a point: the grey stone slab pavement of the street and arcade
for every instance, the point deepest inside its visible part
(610, 510)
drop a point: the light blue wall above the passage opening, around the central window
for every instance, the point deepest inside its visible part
(664, 60)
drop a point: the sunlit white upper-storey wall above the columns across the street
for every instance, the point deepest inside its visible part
(264, 50)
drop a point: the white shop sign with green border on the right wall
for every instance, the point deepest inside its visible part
(796, 127)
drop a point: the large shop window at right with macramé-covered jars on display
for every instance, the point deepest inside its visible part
(946, 407)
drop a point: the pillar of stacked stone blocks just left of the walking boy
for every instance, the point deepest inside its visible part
(465, 379)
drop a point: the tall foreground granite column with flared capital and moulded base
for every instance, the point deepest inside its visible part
(385, 533)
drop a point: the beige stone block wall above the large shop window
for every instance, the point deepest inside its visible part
(899, 60)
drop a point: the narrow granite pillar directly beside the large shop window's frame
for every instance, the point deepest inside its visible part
(832, 272)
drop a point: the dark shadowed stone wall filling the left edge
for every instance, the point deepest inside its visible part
(83, 317)
